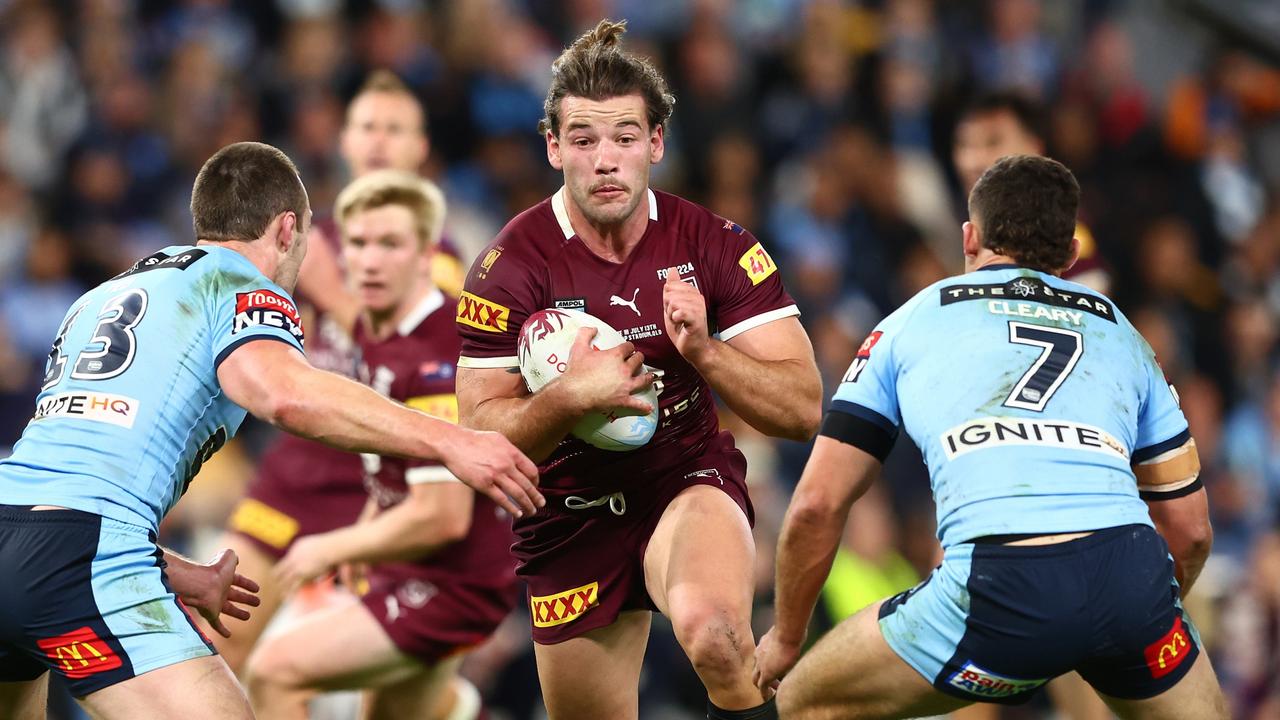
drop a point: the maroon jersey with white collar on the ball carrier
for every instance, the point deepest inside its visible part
(537, 262)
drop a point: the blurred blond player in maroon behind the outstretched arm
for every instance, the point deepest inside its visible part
(442, 576)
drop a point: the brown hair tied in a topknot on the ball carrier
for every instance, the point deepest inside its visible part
(597, 69)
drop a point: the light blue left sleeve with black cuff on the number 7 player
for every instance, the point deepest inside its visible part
(865, 412)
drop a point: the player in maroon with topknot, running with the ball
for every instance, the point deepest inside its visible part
(665, 527)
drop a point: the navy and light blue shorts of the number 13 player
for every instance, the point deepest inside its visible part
(85, 596)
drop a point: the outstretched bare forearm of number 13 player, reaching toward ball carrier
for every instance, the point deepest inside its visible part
(348, 416)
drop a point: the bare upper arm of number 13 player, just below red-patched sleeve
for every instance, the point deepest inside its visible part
(258, 375)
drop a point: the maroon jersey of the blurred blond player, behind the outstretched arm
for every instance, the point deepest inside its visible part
(417, 366)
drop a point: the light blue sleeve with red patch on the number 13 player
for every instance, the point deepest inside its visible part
(246, 308)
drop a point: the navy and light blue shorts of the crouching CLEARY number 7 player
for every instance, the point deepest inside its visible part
(996, 622)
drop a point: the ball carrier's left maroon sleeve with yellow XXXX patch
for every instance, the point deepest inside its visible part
(500, 294)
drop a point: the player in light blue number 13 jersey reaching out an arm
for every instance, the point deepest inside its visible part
(149, 376)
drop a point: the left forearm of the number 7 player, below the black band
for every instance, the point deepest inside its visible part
(806, 553)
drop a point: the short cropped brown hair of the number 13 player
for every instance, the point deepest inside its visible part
(243, 189)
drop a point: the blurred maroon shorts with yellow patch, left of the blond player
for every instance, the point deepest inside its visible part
(301, 489)
